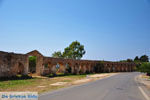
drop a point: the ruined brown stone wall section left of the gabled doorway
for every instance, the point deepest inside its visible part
(12, 64)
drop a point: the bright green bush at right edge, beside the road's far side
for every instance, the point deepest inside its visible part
(145, 67)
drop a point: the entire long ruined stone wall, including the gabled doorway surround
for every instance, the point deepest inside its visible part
(12, 64)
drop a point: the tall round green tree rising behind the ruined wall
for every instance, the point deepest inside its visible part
(74, 51)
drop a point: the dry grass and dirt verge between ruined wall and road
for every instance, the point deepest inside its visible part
(43, 84)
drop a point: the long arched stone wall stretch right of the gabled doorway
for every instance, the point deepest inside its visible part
(85, 66)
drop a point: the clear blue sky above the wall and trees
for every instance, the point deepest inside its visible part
(109, 29)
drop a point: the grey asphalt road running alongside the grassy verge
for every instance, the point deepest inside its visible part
(118, 87)
